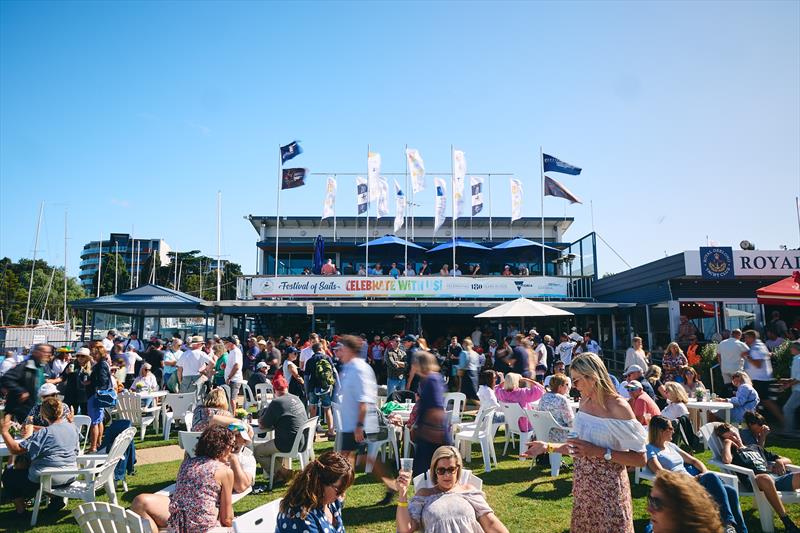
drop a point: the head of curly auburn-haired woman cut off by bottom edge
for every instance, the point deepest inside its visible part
(678, 504)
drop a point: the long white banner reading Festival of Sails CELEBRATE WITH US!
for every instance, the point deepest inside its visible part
(410, 287)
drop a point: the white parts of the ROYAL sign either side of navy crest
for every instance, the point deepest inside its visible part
(751, 262)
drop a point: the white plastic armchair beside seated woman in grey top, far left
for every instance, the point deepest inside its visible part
(94, 478)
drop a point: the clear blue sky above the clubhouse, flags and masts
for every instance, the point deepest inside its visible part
(684, 115)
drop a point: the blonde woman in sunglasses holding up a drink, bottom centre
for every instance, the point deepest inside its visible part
(449, 505)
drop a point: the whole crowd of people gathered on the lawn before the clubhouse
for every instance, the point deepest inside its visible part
(622, 423)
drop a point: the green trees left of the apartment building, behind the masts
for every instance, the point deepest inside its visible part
(47, 296)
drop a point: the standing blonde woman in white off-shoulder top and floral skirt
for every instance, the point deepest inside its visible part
(609, 440)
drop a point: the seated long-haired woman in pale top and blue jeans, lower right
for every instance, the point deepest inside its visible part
(663, 455)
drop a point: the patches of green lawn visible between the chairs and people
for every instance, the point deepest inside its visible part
(525, 500)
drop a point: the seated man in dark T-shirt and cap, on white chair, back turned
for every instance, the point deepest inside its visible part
(285, 414)
